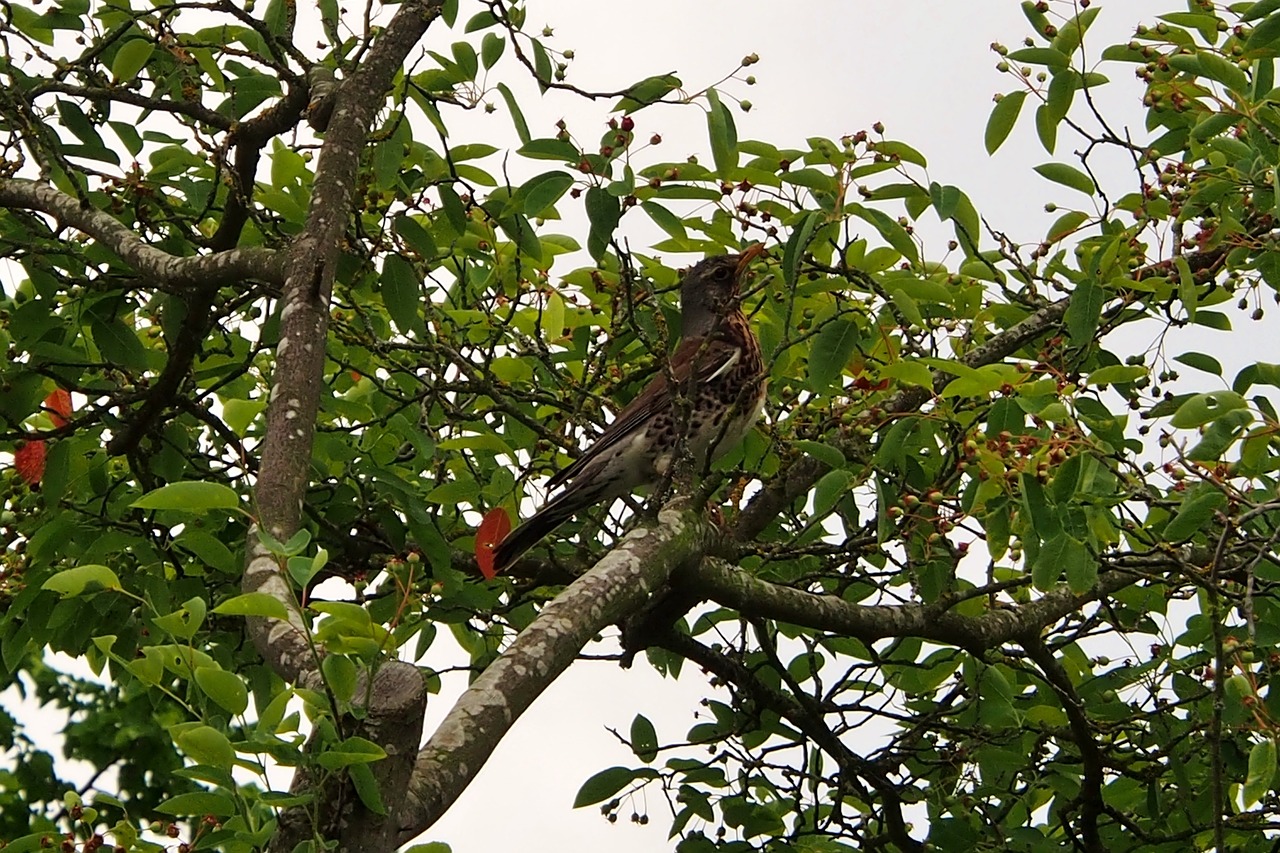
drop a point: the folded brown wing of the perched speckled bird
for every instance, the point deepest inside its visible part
(702, 357)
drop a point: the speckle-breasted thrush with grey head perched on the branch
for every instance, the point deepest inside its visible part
(717, 368)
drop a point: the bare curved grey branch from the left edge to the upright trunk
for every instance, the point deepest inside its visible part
(166, 271)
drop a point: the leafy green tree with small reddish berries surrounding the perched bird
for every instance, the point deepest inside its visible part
(994, 572)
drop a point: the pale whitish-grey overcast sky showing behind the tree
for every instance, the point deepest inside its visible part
(828, 69)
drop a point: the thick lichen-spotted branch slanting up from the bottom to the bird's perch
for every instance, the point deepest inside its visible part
(615, 587)
